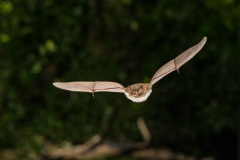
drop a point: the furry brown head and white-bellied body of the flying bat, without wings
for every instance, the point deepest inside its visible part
(138, 92)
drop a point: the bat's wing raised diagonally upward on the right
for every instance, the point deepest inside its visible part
(176, 63)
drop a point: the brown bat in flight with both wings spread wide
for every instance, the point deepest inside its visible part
(137, 92)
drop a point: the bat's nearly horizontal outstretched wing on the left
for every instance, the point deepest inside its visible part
(91, 86)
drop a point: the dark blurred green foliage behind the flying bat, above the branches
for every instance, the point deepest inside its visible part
(125, 41)
